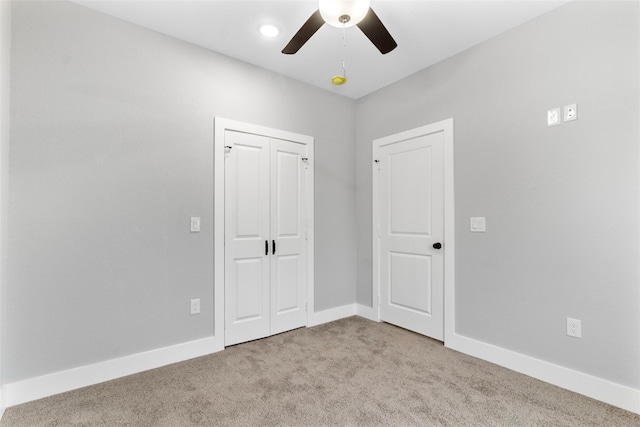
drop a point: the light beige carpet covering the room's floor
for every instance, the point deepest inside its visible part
(349, 372)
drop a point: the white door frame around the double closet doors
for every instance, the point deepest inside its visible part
(221, 125)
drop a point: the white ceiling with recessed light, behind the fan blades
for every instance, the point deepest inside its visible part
(426, 31)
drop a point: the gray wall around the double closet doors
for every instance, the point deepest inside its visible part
(111, 153)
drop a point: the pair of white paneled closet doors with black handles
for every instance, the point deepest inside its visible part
(265, 236)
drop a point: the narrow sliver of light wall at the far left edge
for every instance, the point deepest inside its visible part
(5, 84)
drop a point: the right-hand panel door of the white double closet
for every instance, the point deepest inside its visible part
(289, 259)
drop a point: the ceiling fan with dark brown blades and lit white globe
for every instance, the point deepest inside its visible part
(343, 14)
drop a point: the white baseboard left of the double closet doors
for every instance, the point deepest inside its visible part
(71, 379)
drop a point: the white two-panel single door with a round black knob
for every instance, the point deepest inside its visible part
(411, 229)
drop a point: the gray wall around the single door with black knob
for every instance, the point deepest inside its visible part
(562, 203)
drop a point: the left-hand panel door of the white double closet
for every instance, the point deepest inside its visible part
(247, 235)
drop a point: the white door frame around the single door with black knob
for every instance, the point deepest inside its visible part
(445, 126)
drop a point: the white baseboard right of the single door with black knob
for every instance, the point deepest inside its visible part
(597, 388)
